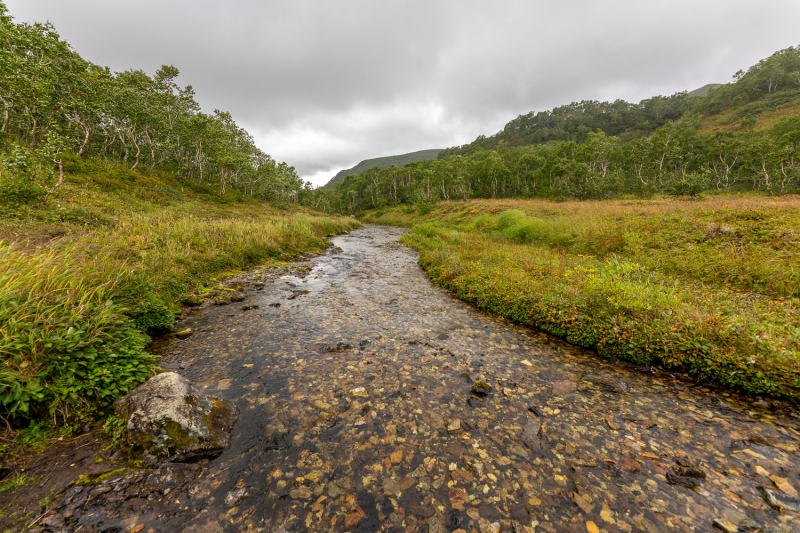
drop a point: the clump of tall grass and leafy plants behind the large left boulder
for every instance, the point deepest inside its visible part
(63, 341)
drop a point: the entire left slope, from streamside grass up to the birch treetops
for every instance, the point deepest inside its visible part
(118, 197)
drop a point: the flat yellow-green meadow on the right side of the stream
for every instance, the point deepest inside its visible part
(707, 286)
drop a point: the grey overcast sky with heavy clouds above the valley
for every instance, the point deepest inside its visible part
(325, 84)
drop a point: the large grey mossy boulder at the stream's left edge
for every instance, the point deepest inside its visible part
(167, 417)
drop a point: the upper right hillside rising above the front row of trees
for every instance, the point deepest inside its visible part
(755, 99)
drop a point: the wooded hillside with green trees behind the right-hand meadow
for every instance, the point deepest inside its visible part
(742, 136)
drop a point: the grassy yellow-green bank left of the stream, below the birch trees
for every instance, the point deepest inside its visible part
(85, 277)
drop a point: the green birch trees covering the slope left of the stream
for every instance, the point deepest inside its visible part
(57, 106)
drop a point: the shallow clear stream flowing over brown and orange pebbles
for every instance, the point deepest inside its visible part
(356, 414)
